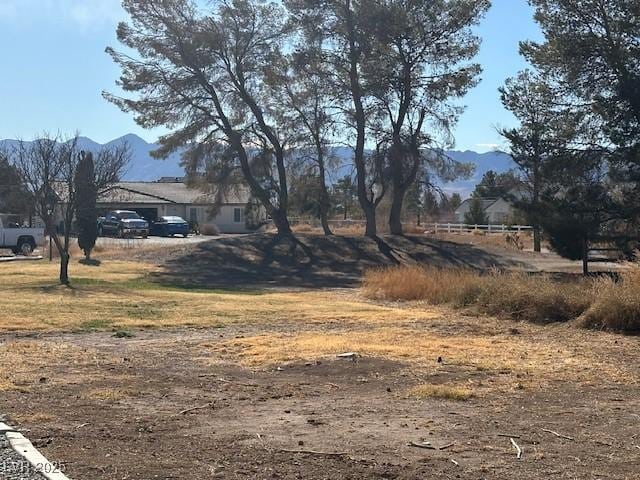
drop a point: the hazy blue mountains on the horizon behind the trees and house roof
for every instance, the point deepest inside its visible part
(143, 167)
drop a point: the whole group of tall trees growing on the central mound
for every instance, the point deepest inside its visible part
(258, 92)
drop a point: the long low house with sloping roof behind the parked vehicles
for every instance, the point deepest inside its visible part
(172, 197)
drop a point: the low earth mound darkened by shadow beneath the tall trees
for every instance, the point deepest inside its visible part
(311, 261)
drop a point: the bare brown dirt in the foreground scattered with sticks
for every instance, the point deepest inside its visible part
(195, 404)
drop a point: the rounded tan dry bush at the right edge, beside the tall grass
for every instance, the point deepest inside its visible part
(616, 304)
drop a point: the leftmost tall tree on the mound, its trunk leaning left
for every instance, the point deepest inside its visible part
(200, 69)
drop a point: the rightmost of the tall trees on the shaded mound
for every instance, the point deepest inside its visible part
(424, 52)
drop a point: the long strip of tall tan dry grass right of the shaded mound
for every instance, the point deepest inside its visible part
(516, 295)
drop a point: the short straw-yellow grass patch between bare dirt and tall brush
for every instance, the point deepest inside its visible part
(535, 358)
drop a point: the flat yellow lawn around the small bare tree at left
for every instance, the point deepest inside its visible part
(119, 295)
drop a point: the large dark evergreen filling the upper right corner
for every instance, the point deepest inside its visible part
(591, 52)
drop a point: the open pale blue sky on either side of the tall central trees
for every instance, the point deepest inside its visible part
(53, 69)
